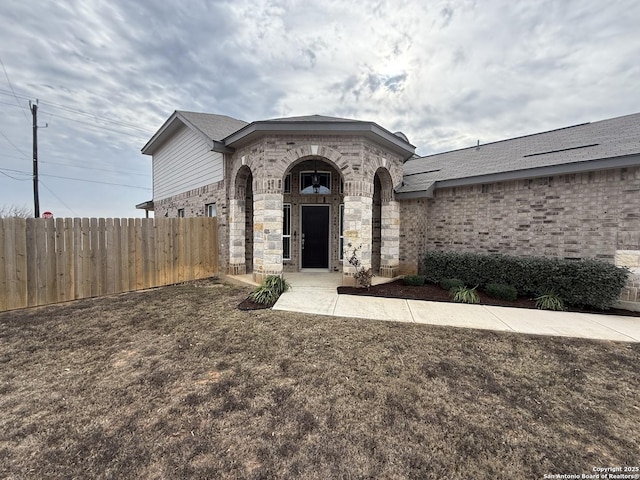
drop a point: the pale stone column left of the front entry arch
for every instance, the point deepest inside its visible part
(267, 235)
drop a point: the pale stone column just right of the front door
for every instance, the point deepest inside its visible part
(358, 215)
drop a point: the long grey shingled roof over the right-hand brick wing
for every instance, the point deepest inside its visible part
(587, 146)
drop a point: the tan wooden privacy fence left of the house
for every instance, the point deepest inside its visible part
(45, 261)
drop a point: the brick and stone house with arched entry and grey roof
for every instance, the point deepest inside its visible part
(291, 193)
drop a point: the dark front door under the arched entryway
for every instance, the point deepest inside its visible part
(315, 236)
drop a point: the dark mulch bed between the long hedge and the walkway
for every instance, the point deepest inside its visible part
(397, 289)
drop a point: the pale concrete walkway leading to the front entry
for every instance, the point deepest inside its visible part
(316, 293)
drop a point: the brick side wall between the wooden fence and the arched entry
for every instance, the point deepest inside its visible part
(194, 204)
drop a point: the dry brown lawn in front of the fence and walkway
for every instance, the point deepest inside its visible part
(178, 383)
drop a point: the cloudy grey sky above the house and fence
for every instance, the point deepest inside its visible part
(446, 73)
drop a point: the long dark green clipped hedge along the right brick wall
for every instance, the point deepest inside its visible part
(583, 283)
